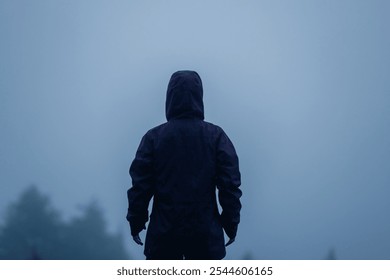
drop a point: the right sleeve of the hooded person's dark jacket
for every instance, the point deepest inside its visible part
(228, 182)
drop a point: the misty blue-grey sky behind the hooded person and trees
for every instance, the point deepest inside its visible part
(301, 87)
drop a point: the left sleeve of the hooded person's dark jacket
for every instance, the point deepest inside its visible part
(139, 195)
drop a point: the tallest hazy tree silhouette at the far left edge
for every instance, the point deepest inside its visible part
(31, 227)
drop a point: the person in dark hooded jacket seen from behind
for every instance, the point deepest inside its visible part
(181, 164)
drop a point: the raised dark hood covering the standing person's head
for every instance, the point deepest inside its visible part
(184, 96)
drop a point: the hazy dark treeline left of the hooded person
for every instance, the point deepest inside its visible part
(33, 229)
